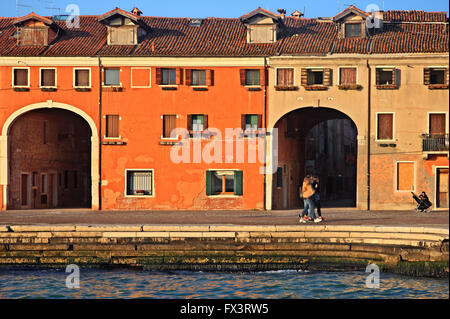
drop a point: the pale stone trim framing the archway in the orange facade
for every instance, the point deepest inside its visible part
(4, 167)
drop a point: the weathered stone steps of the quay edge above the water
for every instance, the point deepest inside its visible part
(236, 246)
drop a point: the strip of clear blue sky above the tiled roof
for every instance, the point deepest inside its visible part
(214, 8)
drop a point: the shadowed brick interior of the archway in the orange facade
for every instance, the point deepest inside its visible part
(49, 161)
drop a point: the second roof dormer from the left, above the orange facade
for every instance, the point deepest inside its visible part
(123, 28)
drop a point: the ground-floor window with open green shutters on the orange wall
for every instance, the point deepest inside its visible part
(226, 182)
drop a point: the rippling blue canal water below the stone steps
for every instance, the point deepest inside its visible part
(124, 283)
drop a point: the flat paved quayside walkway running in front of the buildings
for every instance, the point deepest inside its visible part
(334, 216)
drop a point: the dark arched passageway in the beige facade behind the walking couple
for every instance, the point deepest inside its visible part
(319, 141)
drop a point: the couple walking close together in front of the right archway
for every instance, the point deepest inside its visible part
(311, 200)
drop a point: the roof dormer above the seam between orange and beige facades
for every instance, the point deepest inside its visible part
(262, 26)
